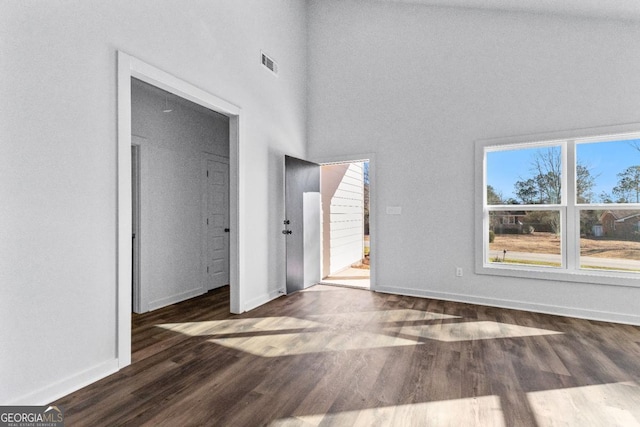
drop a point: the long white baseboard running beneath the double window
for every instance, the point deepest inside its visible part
(580, 313)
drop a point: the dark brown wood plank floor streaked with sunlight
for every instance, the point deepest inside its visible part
(337, 356)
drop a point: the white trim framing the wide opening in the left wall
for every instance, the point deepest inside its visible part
(128, 67)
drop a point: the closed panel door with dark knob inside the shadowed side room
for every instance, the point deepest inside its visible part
(217, 222)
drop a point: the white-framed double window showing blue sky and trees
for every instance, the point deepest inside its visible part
(564, 207)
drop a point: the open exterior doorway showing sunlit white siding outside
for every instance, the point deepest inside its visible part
(346, 237)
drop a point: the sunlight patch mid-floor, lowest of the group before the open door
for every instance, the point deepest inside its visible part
(276, 345)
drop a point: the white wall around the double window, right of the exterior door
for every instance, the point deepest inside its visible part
(418, 85)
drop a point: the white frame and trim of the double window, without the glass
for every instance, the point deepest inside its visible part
(569, 209)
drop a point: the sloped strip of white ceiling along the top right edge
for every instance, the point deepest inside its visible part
(616, 9)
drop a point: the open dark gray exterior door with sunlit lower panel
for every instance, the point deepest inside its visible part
(302, 224)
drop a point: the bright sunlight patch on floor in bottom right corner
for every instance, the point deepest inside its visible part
(616, 404)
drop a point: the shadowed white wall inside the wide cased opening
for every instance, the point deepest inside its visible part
(173, 150)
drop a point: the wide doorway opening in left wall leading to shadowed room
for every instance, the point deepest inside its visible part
(180, 240)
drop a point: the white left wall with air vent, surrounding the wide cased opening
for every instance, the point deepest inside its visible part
(58, 158)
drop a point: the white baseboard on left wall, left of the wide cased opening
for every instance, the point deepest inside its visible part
(52, 392)
